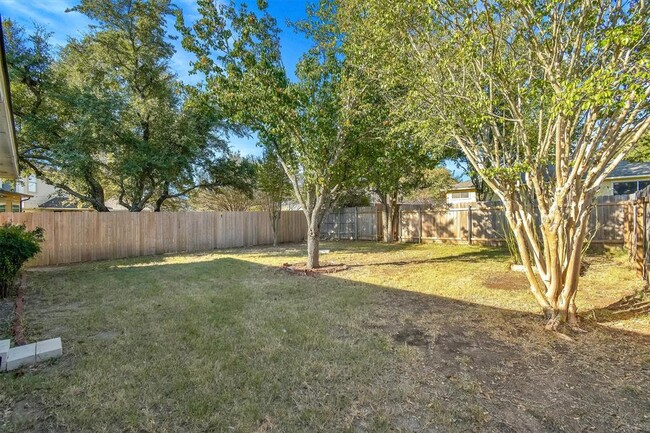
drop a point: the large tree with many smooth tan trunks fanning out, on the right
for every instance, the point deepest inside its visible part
(543, 98)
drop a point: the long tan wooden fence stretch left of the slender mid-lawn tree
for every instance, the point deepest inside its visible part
(72, 237)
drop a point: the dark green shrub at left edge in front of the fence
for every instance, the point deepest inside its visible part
(17, 245)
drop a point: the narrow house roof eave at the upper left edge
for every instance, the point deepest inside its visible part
(8, 147)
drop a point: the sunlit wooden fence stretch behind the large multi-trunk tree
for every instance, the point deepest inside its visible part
(485, 224)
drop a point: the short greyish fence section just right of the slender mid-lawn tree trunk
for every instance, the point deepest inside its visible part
(352, 223)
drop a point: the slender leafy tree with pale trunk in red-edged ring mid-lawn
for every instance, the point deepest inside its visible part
(304, 123)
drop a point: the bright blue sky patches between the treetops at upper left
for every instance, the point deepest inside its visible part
(51, 15)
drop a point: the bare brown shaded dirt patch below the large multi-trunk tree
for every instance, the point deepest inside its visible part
(516, 376)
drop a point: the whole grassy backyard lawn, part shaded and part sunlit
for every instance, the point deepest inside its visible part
(411, 338)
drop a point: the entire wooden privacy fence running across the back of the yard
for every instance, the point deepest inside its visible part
(72, 237)
